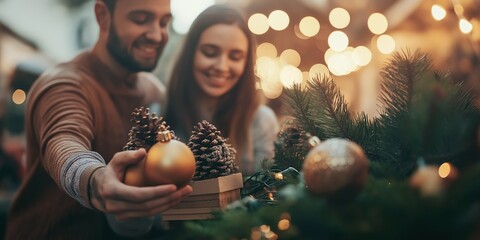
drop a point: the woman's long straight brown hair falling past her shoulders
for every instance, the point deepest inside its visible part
(237, 107)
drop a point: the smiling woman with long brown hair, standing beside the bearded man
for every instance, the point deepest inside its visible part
(214, 80)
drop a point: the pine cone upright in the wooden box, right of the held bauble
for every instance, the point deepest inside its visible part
(214, 156)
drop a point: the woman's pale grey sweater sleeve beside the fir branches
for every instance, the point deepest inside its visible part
(265, 130)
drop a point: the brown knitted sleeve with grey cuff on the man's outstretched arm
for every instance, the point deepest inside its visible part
(63, 120)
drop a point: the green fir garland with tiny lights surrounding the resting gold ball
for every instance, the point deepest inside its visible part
(426, 117)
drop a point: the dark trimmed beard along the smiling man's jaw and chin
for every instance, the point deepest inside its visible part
(123, 57)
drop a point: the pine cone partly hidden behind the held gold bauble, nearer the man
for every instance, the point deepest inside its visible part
(144, 132)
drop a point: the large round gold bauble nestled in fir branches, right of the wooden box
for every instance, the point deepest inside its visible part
(336, 168)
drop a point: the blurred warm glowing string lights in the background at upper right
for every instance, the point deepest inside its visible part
(277, 71)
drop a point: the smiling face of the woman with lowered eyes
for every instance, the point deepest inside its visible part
(220, 59)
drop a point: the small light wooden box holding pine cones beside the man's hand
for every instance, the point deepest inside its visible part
(207, 196)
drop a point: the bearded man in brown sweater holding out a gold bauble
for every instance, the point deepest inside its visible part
(77, 122)
